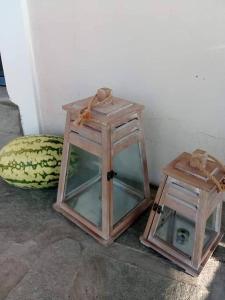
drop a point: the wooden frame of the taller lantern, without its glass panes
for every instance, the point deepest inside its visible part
(112, 128)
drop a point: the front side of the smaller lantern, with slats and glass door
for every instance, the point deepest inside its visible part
(173, 222)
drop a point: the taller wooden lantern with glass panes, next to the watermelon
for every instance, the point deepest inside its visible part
(103, 185)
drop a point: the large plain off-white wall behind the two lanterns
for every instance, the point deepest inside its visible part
(168, 55)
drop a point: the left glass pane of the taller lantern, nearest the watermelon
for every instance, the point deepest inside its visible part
(83, 185)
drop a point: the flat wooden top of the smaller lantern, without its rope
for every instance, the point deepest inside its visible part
(181, 169)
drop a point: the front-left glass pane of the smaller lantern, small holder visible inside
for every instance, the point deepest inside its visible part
(176, 230)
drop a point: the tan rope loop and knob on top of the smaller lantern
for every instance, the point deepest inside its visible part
(199, 161)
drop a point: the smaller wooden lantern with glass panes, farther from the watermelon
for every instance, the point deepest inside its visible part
(185, 220)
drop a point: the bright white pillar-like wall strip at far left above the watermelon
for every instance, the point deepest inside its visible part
(16, 53)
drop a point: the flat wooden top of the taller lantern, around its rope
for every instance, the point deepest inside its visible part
(107, 112)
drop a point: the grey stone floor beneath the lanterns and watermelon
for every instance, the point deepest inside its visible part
(43, 256)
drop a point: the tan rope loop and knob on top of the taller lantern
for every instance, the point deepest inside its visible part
(103, 96)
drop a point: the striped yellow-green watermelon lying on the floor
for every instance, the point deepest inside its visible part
(32, 161)
